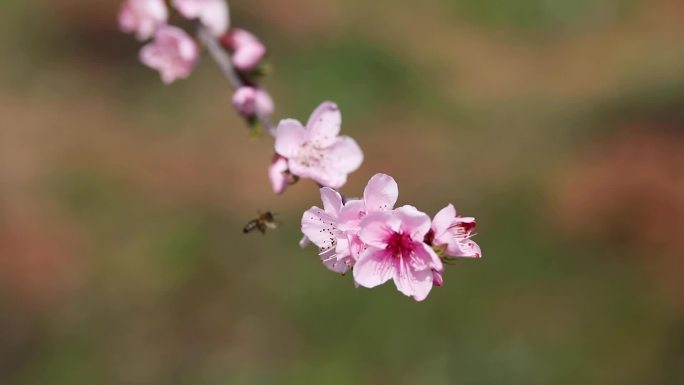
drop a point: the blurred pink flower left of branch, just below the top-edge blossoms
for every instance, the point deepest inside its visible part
(172, 52)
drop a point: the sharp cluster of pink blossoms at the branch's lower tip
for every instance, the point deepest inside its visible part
(379, 242)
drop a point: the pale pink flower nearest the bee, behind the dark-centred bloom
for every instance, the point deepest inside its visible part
(341, 221)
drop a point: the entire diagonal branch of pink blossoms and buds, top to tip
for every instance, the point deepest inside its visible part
(369, 236)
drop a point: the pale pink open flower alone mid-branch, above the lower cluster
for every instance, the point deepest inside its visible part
(317, 152)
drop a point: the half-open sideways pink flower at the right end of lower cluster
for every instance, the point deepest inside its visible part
(454, 232)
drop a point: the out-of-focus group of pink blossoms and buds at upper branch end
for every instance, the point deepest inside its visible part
(175, 54)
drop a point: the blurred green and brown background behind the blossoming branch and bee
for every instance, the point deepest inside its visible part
(559, 124)
